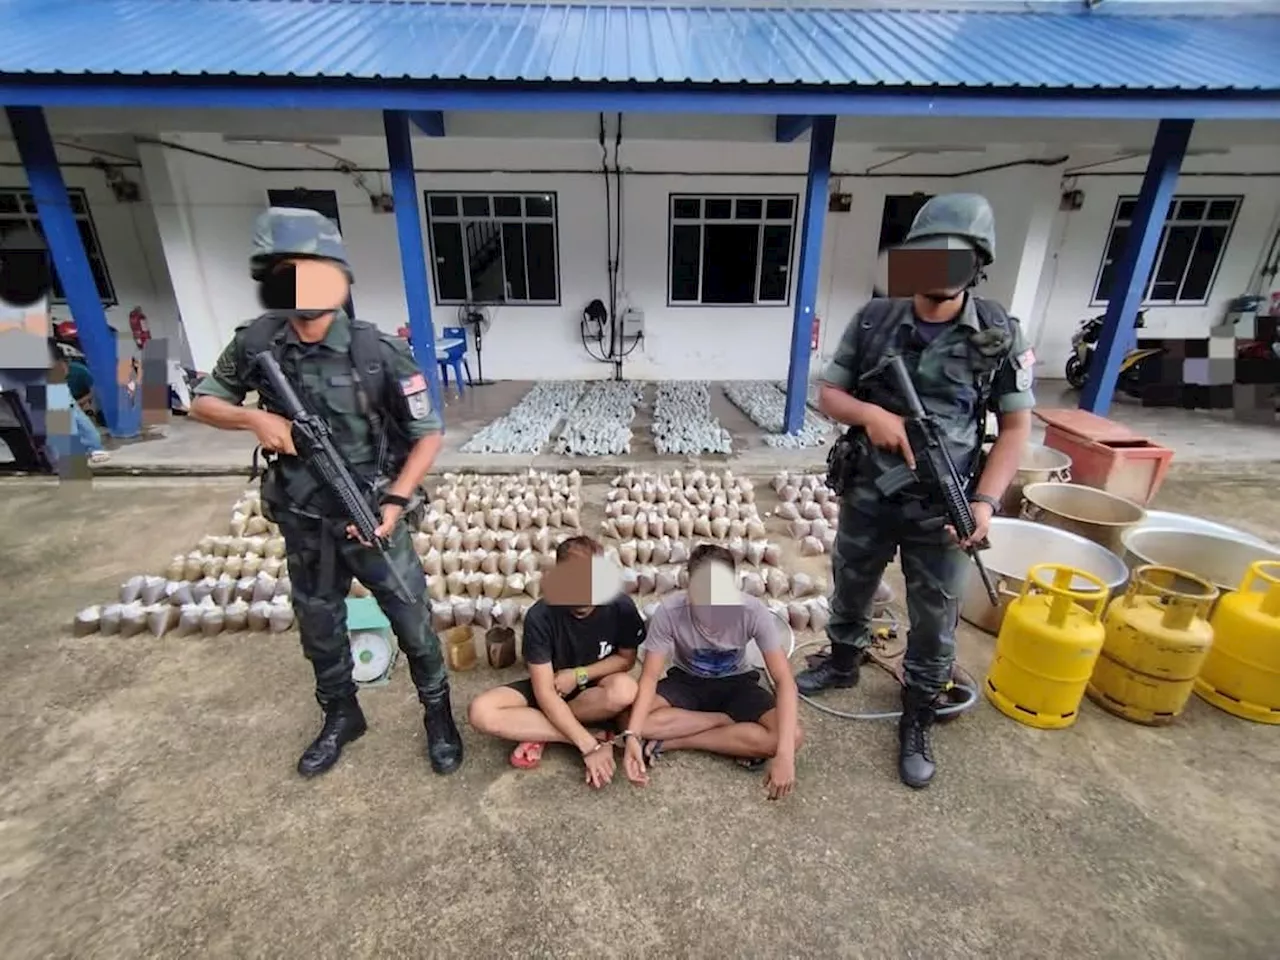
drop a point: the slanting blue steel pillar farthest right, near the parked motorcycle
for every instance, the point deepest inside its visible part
(1133, 269)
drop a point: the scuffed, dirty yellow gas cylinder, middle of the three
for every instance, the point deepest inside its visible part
(1158, 639)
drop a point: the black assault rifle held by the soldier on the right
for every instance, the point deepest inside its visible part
(936, 472)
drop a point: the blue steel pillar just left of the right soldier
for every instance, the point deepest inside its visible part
(822, 139)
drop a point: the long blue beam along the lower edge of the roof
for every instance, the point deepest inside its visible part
(351, 94)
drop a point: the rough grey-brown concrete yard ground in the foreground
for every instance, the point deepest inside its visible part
(149, 806)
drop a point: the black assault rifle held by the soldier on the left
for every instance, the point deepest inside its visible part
(314, 442)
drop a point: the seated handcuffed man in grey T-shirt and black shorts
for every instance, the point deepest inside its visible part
(712, 698)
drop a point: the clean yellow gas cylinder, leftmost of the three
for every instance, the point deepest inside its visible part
(1048, 647)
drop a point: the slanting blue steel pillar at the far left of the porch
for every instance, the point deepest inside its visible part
(67, 253)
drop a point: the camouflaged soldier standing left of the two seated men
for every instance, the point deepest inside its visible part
(374, 397)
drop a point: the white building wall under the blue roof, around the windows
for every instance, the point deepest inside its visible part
(208, 237)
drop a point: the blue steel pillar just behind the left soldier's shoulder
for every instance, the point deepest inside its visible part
(409, 228)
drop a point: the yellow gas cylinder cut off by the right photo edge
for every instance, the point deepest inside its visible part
(1242, 671)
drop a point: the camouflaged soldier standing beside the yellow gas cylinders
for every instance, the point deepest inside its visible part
(966, 356)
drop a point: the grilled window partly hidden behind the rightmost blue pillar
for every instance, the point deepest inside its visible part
(1192, 244)
